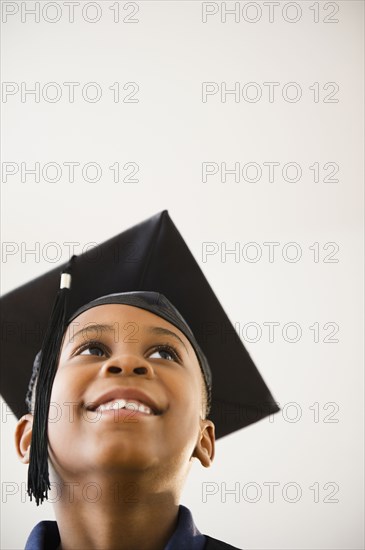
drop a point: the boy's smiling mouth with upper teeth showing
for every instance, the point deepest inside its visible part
(125, 398)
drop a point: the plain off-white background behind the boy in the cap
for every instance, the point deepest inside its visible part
(169, 52)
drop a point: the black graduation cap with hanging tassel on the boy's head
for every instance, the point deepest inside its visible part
(152, 262)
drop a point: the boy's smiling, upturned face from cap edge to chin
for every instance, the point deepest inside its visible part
(142, 353)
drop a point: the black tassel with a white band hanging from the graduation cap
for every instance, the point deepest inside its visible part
(38, 475)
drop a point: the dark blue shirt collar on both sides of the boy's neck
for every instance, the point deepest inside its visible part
(45, 535)
